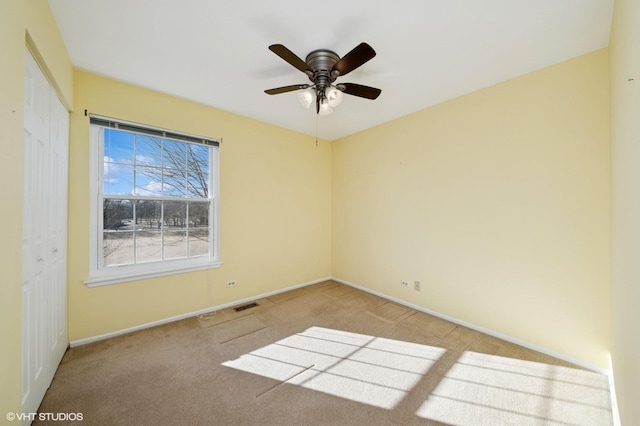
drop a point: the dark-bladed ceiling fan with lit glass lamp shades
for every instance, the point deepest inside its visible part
(323, 67)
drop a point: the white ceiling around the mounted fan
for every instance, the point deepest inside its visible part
(216, 52)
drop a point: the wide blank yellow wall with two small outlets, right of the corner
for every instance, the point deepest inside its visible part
(498, 202)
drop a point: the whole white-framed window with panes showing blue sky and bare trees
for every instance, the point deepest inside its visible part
(155, 209)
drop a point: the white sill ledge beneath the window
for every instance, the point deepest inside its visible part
(116, 276)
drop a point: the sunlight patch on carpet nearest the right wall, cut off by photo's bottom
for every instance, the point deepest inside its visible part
(494, 389)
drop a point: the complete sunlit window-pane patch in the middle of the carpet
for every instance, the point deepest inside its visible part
(367, 369)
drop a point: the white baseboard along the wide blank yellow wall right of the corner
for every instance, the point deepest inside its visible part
(505, 337)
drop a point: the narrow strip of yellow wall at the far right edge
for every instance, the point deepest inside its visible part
(625, 138)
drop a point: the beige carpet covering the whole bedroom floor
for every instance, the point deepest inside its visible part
(326, 354)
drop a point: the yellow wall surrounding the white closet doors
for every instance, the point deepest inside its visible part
(17, 18)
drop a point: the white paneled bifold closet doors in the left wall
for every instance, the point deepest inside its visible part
(44, 235)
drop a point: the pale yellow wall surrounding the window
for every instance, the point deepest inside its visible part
(275, 194)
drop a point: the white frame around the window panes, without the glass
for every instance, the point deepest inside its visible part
(105, 275)
